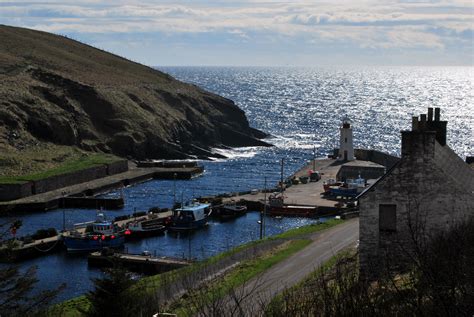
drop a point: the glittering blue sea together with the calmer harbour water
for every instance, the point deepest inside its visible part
(301, 109)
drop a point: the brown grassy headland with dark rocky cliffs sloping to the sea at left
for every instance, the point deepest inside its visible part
(57, 90)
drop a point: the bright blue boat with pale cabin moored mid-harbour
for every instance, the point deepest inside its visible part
(190, 217)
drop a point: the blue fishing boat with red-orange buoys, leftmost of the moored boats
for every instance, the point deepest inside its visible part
(94, 235)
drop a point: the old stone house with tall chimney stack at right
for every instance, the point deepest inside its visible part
(429, 189)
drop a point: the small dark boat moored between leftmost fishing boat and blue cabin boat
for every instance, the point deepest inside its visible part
(148, 225)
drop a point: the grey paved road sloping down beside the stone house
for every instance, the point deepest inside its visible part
(291, 271)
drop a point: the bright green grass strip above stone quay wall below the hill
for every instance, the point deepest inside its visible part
(76, 164)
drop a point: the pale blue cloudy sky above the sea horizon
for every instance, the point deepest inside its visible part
(261, 33)
